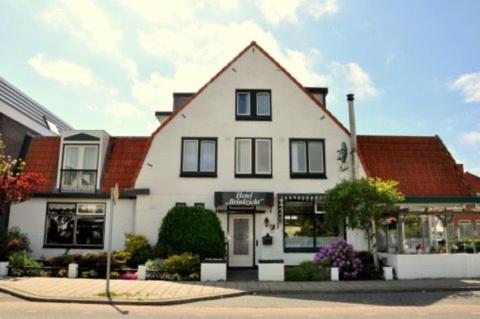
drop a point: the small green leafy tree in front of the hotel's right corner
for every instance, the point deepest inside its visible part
(360, 204)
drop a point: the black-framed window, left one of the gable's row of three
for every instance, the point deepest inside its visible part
(199, 157)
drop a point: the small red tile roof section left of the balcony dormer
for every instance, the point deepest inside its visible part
(42, 157)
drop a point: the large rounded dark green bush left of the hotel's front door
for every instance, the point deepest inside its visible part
(191, 229)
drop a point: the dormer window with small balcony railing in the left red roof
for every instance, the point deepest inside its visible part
(79, 168)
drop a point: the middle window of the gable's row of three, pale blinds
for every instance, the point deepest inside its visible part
(253, 157)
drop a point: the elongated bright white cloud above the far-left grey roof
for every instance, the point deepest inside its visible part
(61, 71)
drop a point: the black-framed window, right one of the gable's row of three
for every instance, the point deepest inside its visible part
(307, 158)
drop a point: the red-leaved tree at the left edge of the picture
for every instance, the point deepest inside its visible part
(15, 184)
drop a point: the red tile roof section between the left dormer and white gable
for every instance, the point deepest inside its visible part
(124, 160)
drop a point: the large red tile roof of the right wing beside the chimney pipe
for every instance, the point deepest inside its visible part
(421, 164)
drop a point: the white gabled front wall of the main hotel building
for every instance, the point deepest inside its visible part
(212, 114)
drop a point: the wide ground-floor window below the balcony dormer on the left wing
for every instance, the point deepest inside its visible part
(78, 225)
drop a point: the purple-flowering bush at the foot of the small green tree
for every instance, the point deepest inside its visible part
(339, 254)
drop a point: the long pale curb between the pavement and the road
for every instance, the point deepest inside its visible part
(168, 302)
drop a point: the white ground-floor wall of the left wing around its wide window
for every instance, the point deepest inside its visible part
(30, 217)
